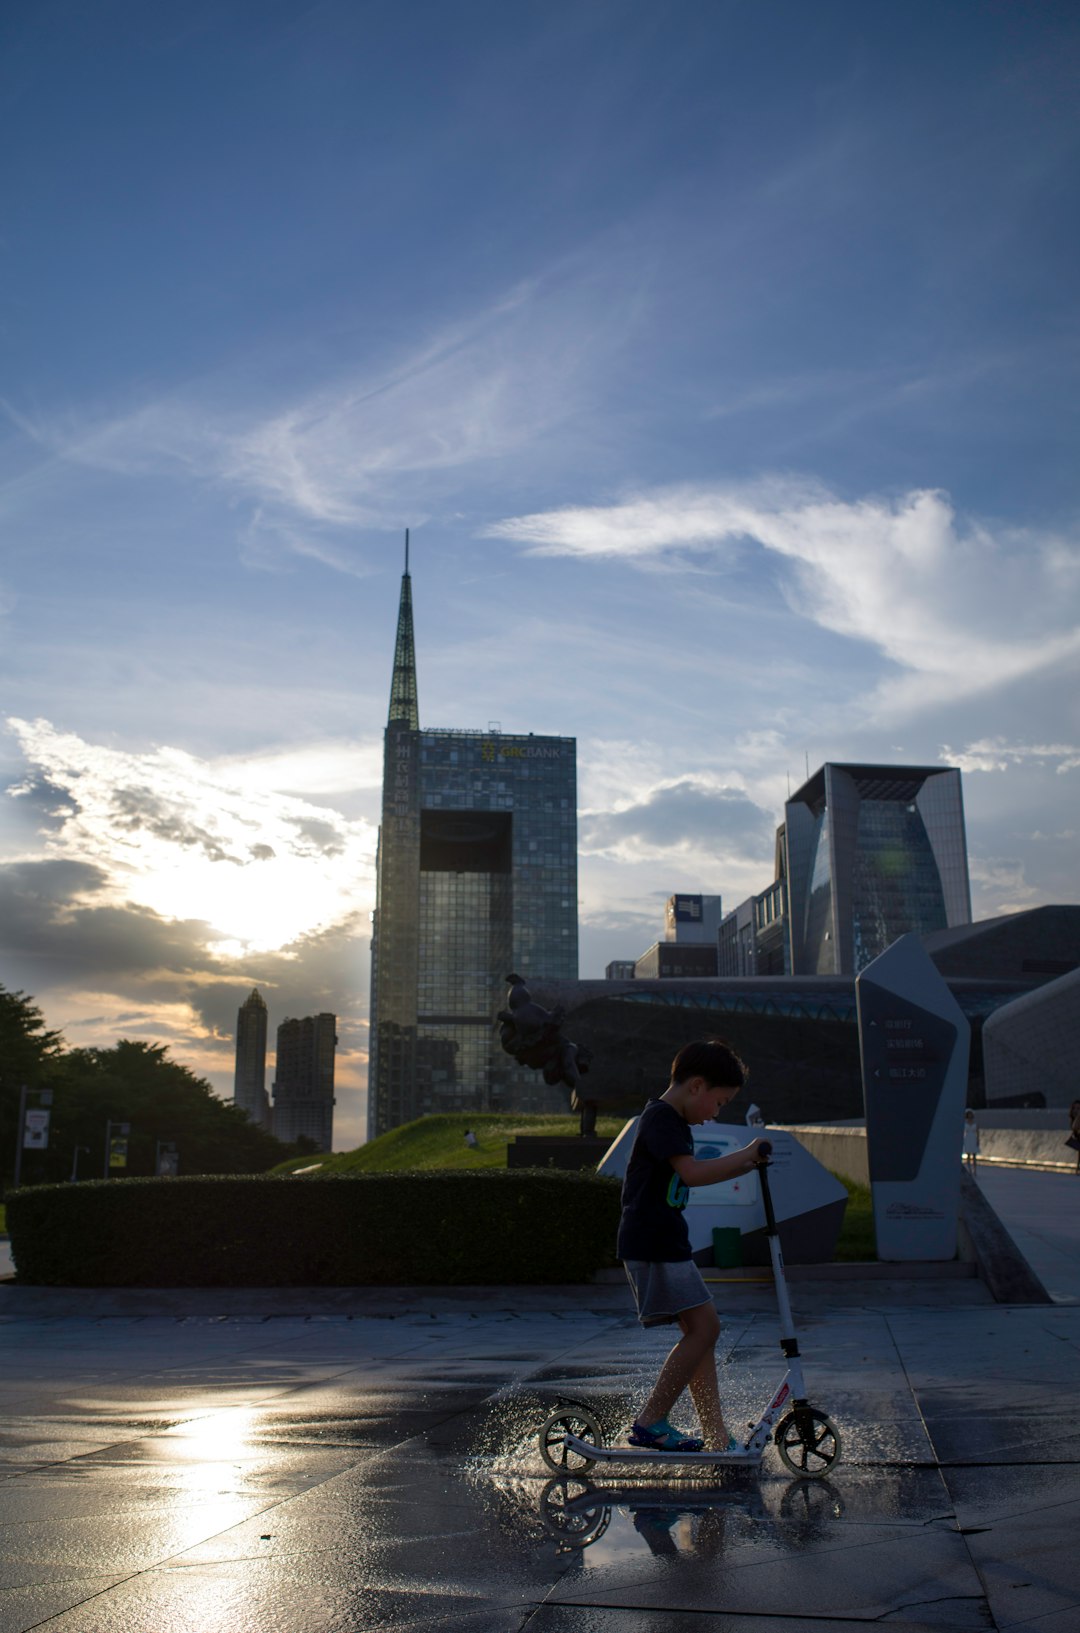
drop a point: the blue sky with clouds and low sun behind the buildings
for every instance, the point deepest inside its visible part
(720, 357)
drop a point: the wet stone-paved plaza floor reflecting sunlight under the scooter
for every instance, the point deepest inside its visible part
(169, 1466)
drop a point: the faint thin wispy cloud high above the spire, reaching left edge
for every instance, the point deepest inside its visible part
(385, 429)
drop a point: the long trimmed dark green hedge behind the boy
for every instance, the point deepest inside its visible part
(489, 1227)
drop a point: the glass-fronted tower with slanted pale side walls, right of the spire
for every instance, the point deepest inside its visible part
(873, 853)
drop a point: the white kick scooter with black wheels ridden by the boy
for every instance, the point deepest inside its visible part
(808, 1441)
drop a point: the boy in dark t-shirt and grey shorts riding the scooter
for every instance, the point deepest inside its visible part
(654, 1242)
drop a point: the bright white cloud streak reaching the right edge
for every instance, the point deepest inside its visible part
(952, 603)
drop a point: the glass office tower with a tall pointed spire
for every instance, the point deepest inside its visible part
(476, 878)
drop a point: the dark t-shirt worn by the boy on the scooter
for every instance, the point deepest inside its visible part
(653, 1226)
